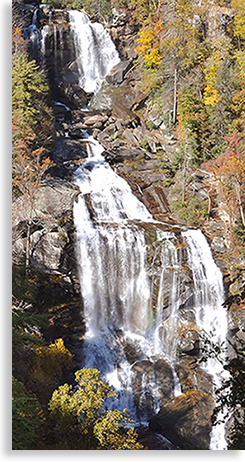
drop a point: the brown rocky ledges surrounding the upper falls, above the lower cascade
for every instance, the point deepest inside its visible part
(113, 118)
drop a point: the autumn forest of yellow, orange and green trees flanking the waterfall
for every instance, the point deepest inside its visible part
(194, 76)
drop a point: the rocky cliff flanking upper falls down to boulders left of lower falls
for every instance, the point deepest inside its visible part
(112, 119)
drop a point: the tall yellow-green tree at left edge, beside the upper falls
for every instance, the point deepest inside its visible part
(30, 98)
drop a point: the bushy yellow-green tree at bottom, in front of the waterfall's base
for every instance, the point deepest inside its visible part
(80, 414)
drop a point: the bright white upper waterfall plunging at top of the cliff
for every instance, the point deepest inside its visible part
(96, 54)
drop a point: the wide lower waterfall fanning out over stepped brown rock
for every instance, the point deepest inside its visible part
(150, 291)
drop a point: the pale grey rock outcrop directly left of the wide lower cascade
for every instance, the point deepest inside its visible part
(52, 235)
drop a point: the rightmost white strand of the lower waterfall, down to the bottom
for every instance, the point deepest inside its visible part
(210, 314)
